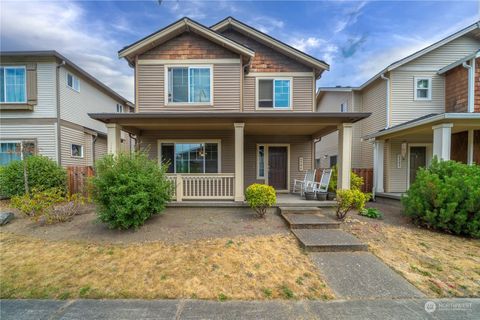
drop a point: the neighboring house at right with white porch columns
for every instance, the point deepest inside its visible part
(425, 105)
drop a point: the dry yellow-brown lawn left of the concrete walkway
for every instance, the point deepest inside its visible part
(264, 267)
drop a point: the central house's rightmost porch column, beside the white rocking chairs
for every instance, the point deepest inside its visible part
(344, 167)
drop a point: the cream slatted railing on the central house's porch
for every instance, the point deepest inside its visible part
(214, 186)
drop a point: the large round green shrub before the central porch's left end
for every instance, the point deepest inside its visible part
(128, 189)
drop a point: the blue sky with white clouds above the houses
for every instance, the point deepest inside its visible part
(357, 38)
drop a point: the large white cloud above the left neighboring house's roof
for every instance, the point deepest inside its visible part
(64, 27)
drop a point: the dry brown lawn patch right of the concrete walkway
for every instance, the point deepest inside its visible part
(438, 264)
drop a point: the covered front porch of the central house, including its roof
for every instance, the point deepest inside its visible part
(214, 157)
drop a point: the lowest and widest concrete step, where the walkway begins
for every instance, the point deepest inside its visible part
(328, 240)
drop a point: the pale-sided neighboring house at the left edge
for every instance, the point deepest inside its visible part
(44, 104)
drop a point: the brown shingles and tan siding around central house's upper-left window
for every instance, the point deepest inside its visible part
(151, 78)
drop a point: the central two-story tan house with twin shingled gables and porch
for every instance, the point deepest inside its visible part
(225, 107)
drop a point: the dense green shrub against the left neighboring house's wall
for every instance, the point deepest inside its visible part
(42, 174)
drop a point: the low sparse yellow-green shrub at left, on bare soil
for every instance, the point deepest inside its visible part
(49, 206)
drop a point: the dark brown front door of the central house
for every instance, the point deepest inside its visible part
(277, 167)
